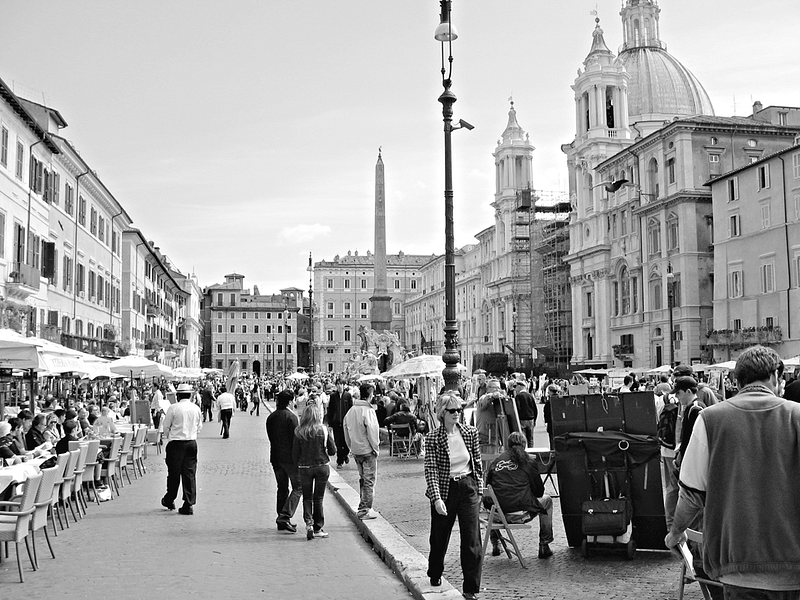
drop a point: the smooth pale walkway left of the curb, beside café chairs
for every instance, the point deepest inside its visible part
(131, 548)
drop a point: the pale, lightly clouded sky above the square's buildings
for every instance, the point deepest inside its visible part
(242, 135)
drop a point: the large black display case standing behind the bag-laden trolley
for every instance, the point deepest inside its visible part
(610, 418)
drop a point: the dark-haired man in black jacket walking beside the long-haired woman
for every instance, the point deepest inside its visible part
(280, 431)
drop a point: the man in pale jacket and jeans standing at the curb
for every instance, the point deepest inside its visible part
(363, 439)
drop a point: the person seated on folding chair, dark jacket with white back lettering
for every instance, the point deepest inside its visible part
(515, 479)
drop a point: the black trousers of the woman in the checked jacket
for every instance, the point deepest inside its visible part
(463, 501)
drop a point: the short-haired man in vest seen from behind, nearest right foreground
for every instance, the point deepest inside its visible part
(741, 468)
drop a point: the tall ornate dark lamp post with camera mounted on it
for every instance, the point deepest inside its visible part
(445, 34)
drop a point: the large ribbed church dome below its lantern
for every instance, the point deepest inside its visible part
(660, 86)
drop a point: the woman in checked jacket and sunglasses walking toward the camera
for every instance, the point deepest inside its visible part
(454, 486)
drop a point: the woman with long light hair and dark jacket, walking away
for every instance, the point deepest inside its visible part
(312, 446)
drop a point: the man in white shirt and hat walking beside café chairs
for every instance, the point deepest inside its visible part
(182, 423)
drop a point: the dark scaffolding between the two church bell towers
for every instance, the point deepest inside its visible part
(550, 237)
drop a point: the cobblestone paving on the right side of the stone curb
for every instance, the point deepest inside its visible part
(400, 498)
